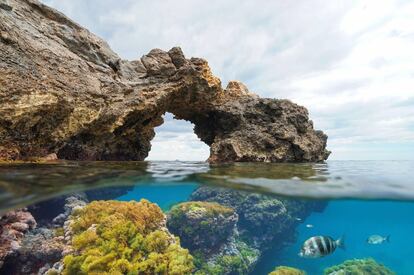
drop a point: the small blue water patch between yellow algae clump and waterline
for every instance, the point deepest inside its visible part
(163, 195)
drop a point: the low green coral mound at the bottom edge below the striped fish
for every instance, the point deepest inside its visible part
(359, 267)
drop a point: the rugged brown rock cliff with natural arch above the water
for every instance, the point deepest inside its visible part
(64, 93)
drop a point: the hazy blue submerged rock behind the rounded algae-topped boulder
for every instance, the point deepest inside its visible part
(263, 220)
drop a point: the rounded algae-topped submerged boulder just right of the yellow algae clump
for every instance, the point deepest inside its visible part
(209, 231)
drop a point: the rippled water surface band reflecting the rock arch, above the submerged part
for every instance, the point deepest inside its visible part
(26, 183)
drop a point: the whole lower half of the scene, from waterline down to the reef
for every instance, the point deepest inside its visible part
(338, 217)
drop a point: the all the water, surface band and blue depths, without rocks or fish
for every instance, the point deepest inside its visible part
(364, 198)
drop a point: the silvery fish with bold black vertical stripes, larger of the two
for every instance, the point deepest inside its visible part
(320, 246)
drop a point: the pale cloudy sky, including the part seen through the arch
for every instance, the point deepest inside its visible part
(350, 63)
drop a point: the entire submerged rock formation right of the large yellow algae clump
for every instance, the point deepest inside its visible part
(263, 222)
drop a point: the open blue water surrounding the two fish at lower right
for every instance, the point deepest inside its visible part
(356, 220)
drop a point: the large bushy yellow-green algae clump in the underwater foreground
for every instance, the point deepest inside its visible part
(113, 237)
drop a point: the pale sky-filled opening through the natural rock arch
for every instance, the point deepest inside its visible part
(175, 140)
